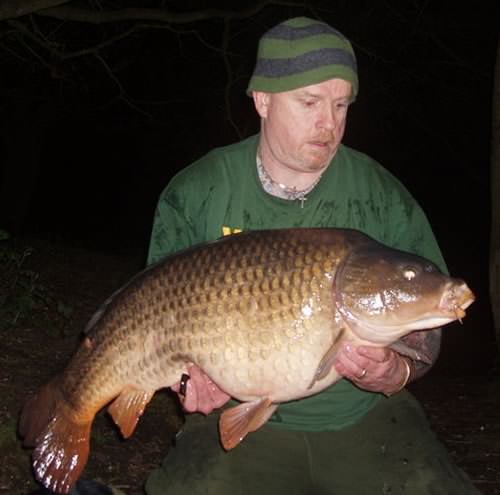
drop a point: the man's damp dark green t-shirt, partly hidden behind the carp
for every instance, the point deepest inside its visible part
(221, 194)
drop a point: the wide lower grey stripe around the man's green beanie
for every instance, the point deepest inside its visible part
(282, 67)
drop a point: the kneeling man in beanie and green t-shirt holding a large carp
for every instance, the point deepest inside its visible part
(365, 434)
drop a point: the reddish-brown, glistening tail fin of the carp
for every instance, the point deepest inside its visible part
(61, 446)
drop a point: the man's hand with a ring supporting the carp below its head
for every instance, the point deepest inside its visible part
(376, 369)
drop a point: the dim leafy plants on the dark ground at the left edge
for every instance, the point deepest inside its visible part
(24, 299)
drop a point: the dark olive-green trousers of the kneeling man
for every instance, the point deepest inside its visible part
(391, 451)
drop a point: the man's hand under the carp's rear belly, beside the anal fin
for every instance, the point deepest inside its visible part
(198, 393)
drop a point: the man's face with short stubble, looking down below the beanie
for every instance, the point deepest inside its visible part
(303, 128)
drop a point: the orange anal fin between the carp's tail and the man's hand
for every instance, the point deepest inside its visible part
(128, 407)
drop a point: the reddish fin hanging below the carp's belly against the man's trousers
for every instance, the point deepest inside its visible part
(235, 423)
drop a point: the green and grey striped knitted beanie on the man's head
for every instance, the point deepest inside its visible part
(300, 52)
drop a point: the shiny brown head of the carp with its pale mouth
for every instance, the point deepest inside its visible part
(383, 294)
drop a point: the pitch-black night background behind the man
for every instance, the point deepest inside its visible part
(92, 130)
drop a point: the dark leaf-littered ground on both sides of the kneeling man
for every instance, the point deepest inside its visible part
(45, 301)
